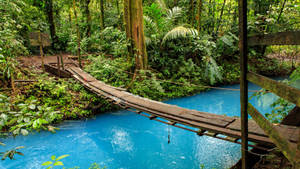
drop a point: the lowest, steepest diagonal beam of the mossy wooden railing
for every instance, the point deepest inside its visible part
(285, 146)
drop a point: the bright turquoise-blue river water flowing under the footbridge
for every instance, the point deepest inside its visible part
(125, 140)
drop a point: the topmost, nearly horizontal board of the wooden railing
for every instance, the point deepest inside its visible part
(280, 38)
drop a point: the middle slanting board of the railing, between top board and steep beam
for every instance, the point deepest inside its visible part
(280, 89)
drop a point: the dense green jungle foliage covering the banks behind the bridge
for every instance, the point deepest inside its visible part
(183, 47)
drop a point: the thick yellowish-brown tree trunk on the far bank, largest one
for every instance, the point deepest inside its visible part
(133, 19)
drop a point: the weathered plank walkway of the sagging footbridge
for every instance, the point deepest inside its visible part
(205, 122)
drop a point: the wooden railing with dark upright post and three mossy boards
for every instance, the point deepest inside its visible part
(282, 90)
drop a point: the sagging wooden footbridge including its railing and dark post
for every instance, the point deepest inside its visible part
(237, 130)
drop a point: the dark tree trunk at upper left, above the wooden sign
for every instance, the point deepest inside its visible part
(49, 13)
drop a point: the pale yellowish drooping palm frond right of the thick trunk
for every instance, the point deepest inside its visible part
(179, 32)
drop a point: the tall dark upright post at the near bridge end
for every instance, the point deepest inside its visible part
(243, 80)
